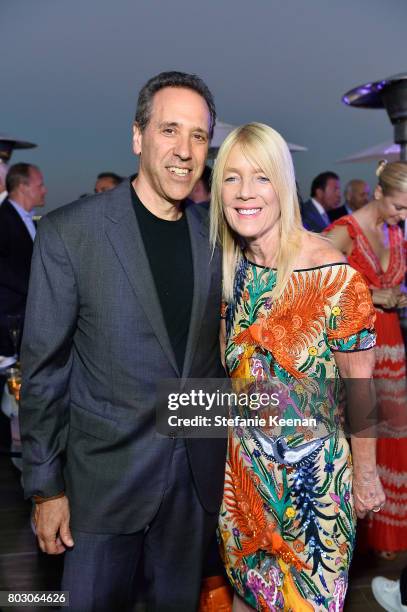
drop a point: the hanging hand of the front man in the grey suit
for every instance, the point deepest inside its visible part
(51, 519)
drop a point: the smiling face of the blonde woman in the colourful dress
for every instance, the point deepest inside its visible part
(250, 203)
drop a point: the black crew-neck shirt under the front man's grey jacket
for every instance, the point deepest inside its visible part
(168, 248)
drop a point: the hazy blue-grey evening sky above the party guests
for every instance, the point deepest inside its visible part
(71, 72)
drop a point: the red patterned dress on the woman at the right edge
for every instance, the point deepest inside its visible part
(387, 528)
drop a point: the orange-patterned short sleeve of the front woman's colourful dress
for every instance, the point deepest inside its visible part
(350, 315)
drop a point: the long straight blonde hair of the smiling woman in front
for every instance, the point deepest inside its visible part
(268, 151)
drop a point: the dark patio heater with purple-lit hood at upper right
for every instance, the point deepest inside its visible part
(391, 94)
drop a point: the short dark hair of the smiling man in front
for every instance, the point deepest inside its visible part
(172, 79)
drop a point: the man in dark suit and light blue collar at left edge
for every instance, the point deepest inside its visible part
(26, 190)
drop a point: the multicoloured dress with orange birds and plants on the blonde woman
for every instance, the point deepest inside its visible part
(287, 521)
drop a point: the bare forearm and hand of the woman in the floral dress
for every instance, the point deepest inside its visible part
(356, 369)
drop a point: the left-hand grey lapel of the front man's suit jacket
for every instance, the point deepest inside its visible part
(124, 234)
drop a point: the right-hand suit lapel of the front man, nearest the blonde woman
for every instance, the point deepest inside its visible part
(201, 265)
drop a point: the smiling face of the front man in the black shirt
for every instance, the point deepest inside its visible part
(173, 146)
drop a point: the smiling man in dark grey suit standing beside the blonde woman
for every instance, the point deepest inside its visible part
(123, 294)
